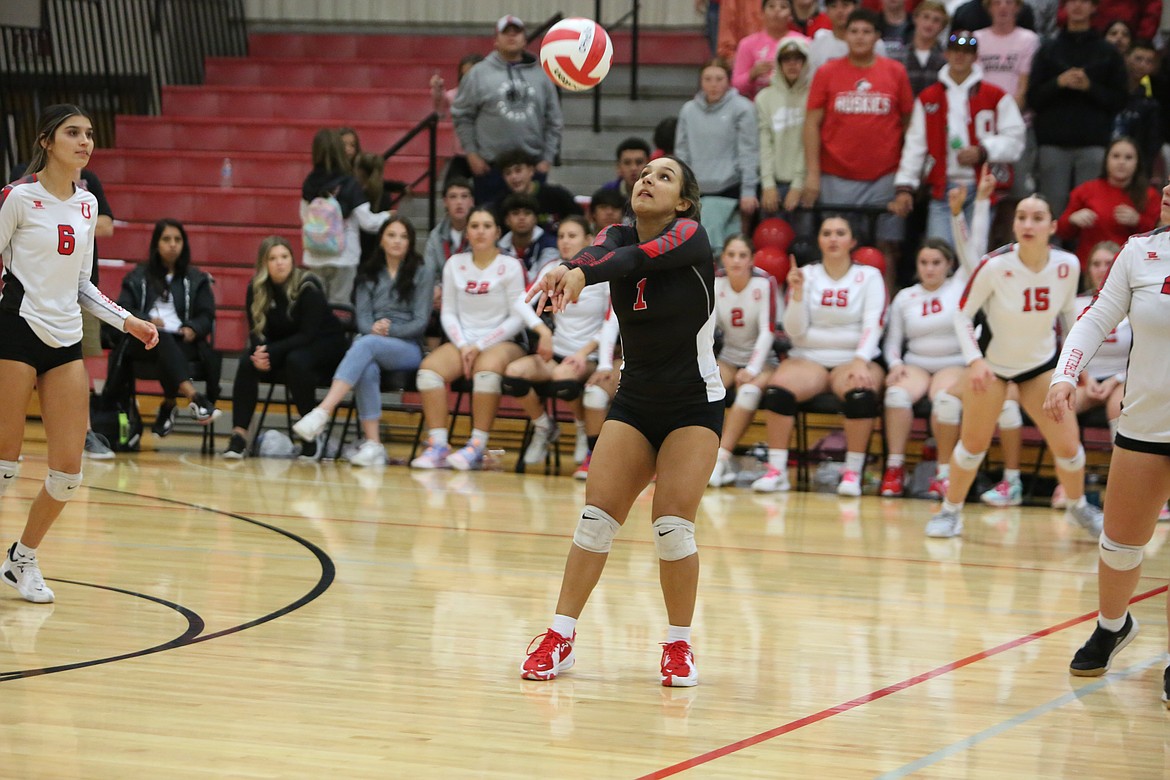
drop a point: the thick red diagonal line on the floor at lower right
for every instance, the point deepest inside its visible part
(772, 734)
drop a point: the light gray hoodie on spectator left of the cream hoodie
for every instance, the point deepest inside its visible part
(721, 143)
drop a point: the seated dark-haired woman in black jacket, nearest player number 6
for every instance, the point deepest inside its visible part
(176, 296)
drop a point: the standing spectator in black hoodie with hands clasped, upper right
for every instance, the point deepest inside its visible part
(1078, 87)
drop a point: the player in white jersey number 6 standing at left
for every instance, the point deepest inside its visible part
(47, 225)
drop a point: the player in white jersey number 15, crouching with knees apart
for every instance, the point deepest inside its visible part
(1022, 289)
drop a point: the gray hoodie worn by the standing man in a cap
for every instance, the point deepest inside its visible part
(501, 107)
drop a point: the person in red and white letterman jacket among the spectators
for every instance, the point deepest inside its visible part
(959, 125)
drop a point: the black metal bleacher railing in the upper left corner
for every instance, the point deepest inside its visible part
(111, 58)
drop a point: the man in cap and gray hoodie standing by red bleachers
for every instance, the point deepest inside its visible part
(506, 102)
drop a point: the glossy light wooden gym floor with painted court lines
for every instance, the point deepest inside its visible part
(272, 619)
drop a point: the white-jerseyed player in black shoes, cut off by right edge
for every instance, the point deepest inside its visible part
(1140, 468)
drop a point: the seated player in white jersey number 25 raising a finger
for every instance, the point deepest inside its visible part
(835, 319)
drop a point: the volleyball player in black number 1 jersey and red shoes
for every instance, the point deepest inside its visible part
(666, 417)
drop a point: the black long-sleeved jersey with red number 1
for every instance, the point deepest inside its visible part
(663, 292)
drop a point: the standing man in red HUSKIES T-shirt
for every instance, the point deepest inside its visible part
(858, 109)
